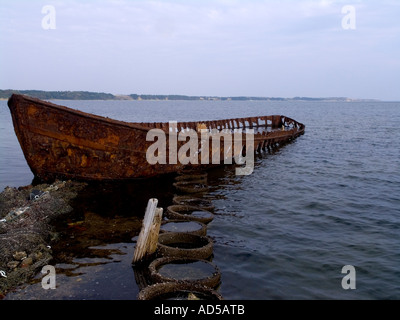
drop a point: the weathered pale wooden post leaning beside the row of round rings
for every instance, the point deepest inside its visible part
(148, 237)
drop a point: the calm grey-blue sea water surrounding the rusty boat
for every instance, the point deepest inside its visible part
(329, 199)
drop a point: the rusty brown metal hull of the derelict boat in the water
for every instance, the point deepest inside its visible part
(59, 142)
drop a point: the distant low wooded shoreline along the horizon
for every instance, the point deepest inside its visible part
(86, 95)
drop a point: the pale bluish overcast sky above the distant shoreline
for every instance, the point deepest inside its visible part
(321, 48)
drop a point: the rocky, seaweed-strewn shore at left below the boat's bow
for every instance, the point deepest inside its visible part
(26, 231)
